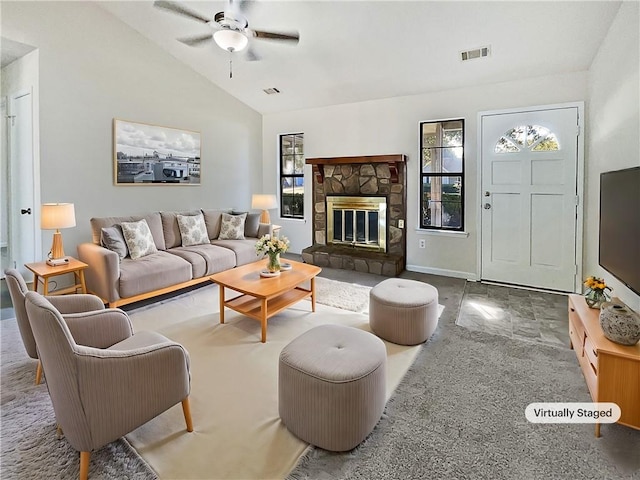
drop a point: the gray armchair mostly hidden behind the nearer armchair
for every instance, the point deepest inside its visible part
(64, 304)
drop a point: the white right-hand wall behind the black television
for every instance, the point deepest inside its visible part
(613, 140)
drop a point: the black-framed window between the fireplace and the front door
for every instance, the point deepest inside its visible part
(442, 175)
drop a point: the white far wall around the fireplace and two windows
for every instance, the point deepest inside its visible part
(391, 126)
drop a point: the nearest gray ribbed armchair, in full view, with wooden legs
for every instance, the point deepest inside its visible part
(104, 380)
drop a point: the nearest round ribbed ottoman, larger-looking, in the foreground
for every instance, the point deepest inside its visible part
(332, 386)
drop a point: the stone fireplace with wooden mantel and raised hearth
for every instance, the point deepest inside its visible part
(359, 210)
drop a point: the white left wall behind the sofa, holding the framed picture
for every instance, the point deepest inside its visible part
(94, 68)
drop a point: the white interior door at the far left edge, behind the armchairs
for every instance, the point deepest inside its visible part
(22, 207)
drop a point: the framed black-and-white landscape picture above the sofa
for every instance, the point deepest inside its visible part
(150, 155)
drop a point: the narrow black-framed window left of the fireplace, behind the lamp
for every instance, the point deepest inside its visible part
(292, 175)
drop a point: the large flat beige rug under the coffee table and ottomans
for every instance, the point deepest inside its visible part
(238, 433)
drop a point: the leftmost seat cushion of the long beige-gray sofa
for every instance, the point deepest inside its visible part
(152, 272)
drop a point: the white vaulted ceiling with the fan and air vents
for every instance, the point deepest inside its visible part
(353, 51)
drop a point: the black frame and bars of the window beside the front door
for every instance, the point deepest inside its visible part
(422, 175)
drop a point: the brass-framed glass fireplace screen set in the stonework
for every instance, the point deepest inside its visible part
(357, 221)
